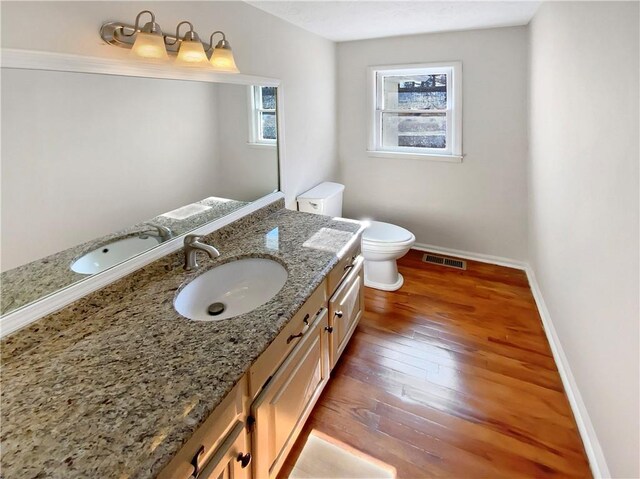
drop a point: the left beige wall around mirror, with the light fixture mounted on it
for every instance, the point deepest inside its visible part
(263, 45)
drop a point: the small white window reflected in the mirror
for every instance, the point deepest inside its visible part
(263, 127)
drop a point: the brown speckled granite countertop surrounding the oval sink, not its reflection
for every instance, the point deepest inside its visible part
(114, 384)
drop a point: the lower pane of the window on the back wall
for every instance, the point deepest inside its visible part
(416, 130)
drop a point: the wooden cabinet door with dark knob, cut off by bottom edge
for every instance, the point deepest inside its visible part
(232, 459)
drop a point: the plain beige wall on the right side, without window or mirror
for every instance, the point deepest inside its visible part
(583, 196)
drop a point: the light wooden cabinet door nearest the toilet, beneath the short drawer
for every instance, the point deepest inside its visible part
(346, 307)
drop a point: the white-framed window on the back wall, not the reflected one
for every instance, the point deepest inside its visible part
(417, 111)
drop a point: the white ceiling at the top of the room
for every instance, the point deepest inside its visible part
(360, 19)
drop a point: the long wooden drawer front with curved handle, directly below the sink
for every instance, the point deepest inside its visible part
(269, 361)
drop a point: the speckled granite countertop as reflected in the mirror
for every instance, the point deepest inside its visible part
(39, 278)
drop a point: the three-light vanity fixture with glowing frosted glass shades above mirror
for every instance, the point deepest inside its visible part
(150, 43)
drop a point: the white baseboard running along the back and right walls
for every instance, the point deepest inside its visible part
(594, 452)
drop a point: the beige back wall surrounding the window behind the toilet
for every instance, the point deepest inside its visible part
(479, 205)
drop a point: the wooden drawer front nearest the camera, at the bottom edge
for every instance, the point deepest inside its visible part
(210, 436)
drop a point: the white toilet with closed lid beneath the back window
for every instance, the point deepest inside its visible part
(382, 243)
